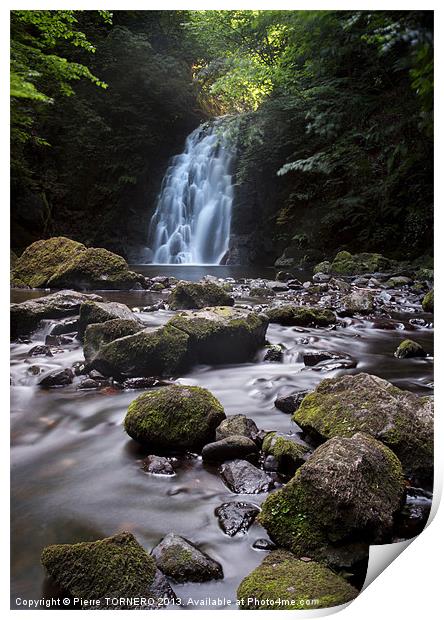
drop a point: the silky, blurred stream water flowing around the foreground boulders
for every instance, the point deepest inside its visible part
(76, 475)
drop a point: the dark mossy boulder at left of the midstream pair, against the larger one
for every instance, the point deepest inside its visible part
(151, 352)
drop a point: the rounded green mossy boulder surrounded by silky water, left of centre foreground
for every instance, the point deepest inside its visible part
(176, 417)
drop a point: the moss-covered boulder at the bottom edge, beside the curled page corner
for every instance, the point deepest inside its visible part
(296, 583)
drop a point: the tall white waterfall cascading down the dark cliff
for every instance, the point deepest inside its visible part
(191, 223)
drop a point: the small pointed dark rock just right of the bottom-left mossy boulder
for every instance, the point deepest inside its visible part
(180, 560)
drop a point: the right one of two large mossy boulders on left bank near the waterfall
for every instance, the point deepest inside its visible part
(94, 268)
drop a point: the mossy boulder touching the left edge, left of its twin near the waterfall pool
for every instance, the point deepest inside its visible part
(40, 261)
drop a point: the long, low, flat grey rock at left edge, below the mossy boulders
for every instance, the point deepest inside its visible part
(26, 316)
